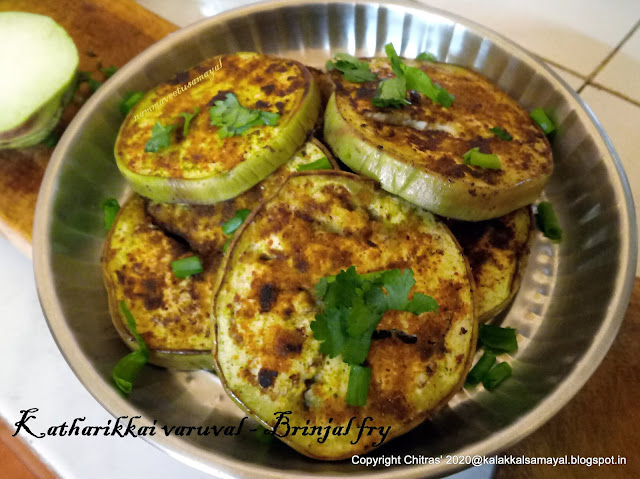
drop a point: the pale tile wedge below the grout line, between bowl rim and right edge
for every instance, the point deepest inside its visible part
(620, 120)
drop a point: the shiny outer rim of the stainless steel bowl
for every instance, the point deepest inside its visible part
(224, 466)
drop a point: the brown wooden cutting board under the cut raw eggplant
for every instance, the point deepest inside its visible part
(106, 32)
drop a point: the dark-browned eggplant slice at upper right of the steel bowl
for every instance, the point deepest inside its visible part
(417, 151)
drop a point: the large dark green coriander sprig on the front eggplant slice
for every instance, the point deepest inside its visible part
(353, 306)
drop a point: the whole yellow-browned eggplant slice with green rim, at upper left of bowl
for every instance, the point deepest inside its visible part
(204, 166)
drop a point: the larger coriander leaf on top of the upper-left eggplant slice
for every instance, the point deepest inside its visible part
(234, 119)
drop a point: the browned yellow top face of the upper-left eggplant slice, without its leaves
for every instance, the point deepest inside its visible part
(243, 74)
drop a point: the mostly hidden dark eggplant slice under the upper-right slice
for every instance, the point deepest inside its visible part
(497, 251)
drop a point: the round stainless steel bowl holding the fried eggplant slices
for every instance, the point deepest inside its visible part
(568, 310)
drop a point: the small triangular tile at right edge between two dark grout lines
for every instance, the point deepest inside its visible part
(622, 73)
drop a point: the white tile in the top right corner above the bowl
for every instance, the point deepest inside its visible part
(575, 33)
